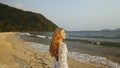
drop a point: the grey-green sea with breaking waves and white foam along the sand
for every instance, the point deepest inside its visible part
(96, 47)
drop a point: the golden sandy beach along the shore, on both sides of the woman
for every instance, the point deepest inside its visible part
(14, 53)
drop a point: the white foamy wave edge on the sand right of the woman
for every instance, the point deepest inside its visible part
(94, 59)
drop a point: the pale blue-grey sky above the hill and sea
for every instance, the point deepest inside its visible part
(74, 15)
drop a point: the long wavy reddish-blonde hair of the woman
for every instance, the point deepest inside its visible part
(55, 42)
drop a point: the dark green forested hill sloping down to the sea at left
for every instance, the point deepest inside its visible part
(13, 19)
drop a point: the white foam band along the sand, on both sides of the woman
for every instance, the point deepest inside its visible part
(80, 56)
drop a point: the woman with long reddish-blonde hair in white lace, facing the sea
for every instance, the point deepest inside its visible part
(58, 49)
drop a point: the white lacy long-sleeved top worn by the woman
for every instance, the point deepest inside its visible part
(62, 57)
